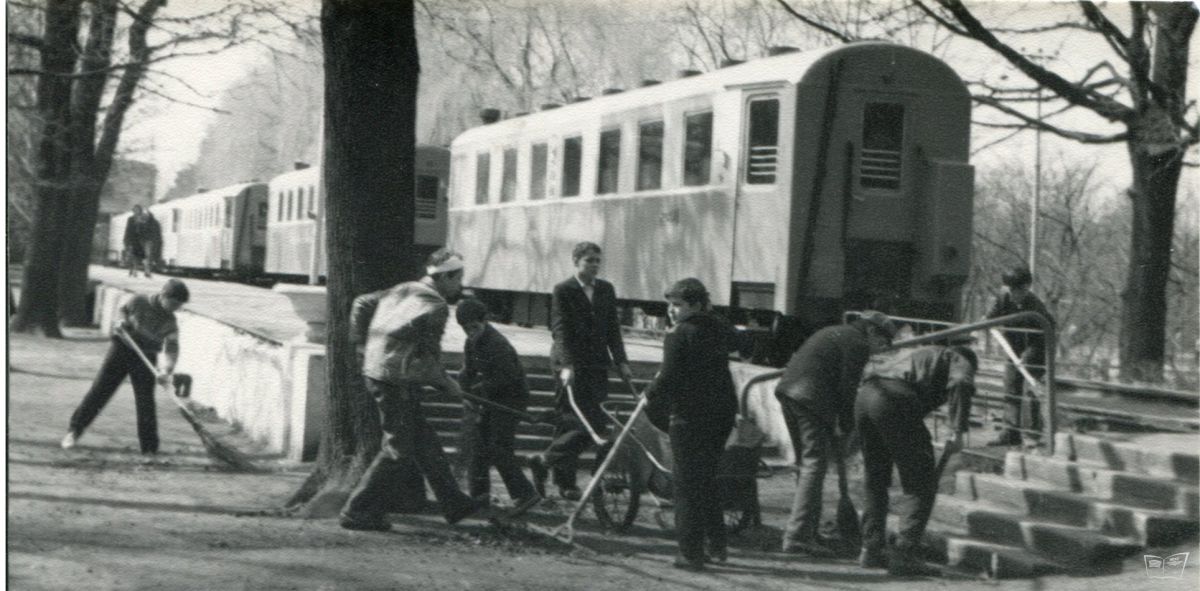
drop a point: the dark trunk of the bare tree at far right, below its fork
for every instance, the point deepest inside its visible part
(1144, 300)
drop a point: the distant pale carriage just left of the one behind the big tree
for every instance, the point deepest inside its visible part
(217, 231)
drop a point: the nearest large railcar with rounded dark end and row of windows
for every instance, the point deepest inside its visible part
(795, 187)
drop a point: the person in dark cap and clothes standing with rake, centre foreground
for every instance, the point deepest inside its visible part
(697, 389)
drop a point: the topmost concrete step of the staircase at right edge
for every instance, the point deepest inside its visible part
(1165, 456)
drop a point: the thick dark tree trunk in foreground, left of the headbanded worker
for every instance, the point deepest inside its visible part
(371, 80)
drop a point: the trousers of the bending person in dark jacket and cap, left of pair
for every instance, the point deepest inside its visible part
(812, 440)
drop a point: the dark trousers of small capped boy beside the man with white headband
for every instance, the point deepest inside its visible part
(491, 445)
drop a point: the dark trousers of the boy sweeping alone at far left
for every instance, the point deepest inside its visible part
(122, 362)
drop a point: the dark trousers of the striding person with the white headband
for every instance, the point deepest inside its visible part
(407, 439)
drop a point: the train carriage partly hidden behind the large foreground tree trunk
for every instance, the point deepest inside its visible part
(297, 200)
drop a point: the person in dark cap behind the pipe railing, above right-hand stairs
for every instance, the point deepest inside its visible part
(1029, 345)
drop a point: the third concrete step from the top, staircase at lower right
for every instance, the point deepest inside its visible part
(1151, 528)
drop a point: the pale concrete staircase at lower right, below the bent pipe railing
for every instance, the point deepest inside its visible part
(1083, 511)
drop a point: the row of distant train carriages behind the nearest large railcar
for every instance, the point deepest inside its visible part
(266, 231)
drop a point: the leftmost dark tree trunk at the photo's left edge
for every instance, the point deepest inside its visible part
(39, 297)
